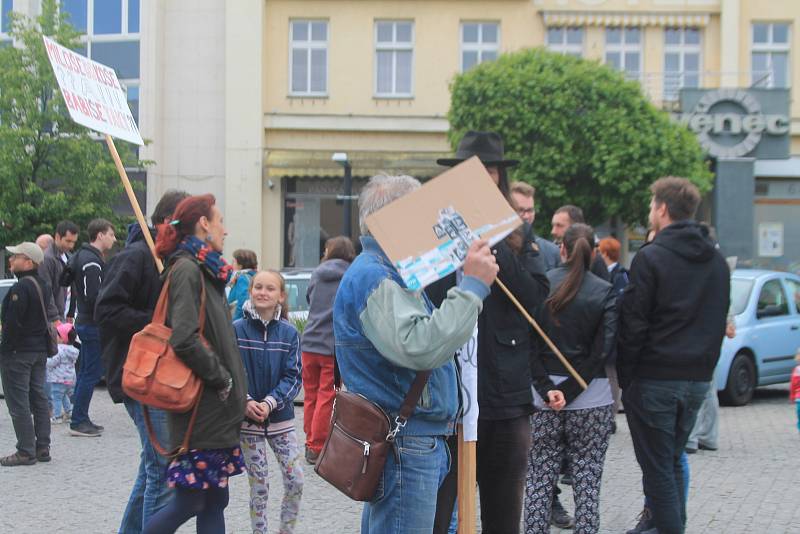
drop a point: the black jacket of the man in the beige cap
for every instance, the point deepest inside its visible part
(24, 322)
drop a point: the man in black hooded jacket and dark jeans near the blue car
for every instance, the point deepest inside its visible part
(671, 326)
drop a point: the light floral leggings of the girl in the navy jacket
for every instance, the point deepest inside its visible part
(255, 456)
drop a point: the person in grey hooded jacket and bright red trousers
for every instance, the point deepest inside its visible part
(317, 345)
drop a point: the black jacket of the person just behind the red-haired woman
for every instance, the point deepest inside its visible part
(125, 304)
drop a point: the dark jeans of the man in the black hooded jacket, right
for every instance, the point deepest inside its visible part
(661, 414)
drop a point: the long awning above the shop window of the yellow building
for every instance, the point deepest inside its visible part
(297, 163)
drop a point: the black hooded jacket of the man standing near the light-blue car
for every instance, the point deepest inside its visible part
(674, 308)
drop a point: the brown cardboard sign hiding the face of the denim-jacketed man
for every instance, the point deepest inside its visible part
(427, 233)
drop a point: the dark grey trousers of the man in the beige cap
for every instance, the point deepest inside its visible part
(23, 376)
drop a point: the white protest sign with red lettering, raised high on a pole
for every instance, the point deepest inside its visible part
(93, 94)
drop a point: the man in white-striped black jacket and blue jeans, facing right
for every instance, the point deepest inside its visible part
(86, 273)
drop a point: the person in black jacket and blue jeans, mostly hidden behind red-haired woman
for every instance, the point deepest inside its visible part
(125, 305)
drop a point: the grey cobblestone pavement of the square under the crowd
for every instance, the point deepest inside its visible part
(748, 486)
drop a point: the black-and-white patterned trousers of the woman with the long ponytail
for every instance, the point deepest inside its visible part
(582, 437)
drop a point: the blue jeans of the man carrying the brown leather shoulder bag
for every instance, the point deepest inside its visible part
(405, 501)
